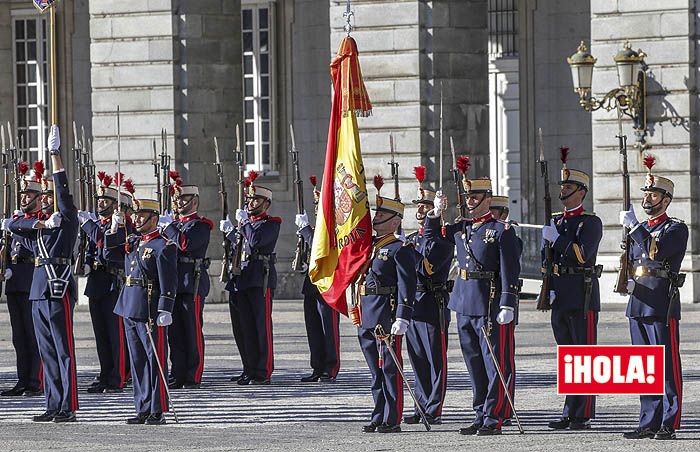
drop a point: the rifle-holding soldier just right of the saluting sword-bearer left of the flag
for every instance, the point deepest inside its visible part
(190, 232)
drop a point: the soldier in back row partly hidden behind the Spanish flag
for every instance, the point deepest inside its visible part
(322, 321)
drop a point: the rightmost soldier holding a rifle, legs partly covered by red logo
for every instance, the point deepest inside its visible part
(658, 248)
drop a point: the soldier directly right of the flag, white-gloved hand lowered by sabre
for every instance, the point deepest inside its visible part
(388, 291)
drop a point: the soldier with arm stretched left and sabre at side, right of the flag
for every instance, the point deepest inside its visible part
(486, 292)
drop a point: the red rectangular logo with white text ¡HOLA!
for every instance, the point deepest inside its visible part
(610, 369)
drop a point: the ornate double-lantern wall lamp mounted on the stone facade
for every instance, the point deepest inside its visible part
(629, 97)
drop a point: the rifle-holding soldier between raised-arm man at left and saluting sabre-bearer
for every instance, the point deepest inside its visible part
(105, 279)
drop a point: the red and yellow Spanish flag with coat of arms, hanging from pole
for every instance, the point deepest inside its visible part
(343, 236)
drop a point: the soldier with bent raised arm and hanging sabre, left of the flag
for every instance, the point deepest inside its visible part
(149, 293)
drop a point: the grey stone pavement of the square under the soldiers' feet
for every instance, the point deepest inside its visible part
(289, 415)
